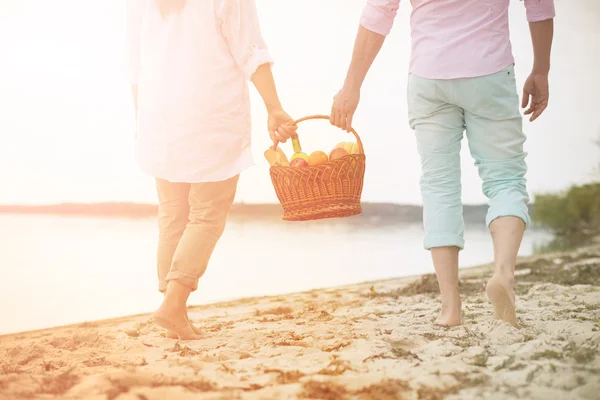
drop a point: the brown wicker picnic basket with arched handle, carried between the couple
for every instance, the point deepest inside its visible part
(329, 190)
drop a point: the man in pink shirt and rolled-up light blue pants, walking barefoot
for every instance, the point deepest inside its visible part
(462, 80)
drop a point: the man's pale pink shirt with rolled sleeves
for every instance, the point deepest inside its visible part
(455, 38)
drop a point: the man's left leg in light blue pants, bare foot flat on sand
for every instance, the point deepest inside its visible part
(439, 129)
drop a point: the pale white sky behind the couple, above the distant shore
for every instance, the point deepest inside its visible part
(66, 119)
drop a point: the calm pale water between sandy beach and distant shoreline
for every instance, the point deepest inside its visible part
(62, 270)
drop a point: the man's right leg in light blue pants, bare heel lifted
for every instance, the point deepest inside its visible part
(494, 131)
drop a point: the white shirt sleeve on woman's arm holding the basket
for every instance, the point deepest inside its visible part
(241, 29)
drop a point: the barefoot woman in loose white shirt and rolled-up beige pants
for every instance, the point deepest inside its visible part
(189, 62)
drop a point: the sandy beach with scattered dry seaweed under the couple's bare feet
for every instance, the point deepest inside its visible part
(365, 341)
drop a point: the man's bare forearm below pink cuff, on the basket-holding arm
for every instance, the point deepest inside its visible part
(366, 48)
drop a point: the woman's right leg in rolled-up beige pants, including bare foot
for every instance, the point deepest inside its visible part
(209, 206)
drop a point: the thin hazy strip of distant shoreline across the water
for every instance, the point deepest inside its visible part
(373, 213)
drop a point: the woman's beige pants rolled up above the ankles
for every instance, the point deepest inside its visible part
(191, 219)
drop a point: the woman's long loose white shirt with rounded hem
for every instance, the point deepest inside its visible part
(192, 71)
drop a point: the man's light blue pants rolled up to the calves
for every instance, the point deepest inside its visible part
(487, 109)
